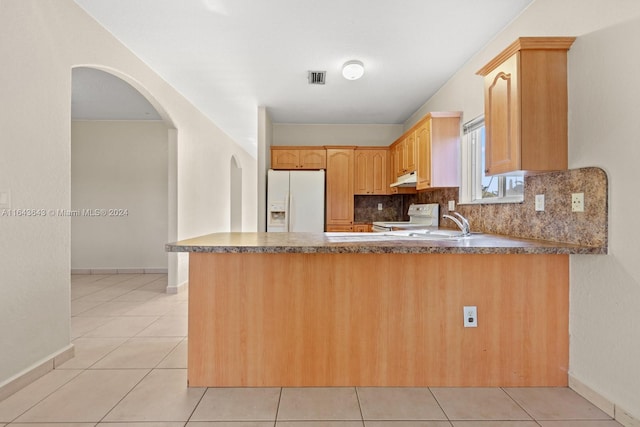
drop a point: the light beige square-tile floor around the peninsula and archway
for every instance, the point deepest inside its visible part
(130, 370)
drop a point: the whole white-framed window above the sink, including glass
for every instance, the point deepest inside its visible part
(476, 187)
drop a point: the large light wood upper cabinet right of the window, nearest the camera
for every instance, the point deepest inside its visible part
(525, 96)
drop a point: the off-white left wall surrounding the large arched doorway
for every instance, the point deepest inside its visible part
(40, 41)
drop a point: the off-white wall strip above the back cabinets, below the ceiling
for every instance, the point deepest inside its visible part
(326, 134)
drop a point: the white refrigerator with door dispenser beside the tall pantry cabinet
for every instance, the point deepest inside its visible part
(295, 201)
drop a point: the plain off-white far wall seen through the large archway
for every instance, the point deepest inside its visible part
(119, 165)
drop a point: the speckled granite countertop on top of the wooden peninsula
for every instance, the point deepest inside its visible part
(371, 243)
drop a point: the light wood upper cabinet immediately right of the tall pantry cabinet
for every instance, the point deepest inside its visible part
(371, 170)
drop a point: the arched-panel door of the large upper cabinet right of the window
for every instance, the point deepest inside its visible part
(502, 118)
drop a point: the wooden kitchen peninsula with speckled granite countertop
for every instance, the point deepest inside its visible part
(360, 309)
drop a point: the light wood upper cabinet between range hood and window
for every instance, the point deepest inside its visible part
(437, 138)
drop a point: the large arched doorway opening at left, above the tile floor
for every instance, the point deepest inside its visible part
(123, 148)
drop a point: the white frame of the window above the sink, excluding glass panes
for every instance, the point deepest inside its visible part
(472, 170)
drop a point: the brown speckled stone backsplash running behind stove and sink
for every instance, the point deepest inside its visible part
(556, 223)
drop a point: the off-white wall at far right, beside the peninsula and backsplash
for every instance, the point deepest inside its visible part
(604, 95)
